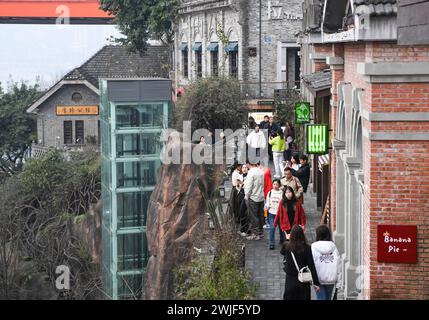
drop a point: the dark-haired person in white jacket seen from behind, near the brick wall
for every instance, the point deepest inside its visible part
(327, 261)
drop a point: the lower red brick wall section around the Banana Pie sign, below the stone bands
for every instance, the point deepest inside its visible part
(399, 193)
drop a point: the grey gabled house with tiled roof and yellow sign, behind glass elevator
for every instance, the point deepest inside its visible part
(68, 112)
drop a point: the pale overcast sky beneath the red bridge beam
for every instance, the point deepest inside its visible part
(48, 51)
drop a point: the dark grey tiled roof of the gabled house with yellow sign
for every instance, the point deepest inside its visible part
(118, 62)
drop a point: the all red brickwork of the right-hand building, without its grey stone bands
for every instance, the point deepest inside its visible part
(396, 173)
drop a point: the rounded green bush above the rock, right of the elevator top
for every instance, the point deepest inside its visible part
(211, 103)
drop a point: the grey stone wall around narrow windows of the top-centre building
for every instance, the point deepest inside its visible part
(281, 21)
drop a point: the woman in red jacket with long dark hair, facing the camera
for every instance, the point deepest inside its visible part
(289, 213)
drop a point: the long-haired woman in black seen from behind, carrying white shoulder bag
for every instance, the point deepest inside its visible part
(294, 289)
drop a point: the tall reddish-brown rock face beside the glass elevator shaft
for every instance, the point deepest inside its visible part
(175, 215)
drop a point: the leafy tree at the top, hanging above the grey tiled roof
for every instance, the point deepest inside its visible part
(141, 20)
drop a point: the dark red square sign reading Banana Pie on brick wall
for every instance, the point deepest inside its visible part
(397, 244)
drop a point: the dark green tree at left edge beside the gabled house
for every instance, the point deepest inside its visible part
(17, 128)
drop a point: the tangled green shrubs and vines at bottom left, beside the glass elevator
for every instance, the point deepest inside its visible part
(42, 204)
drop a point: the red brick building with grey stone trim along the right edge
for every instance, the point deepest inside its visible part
(379, 116)
